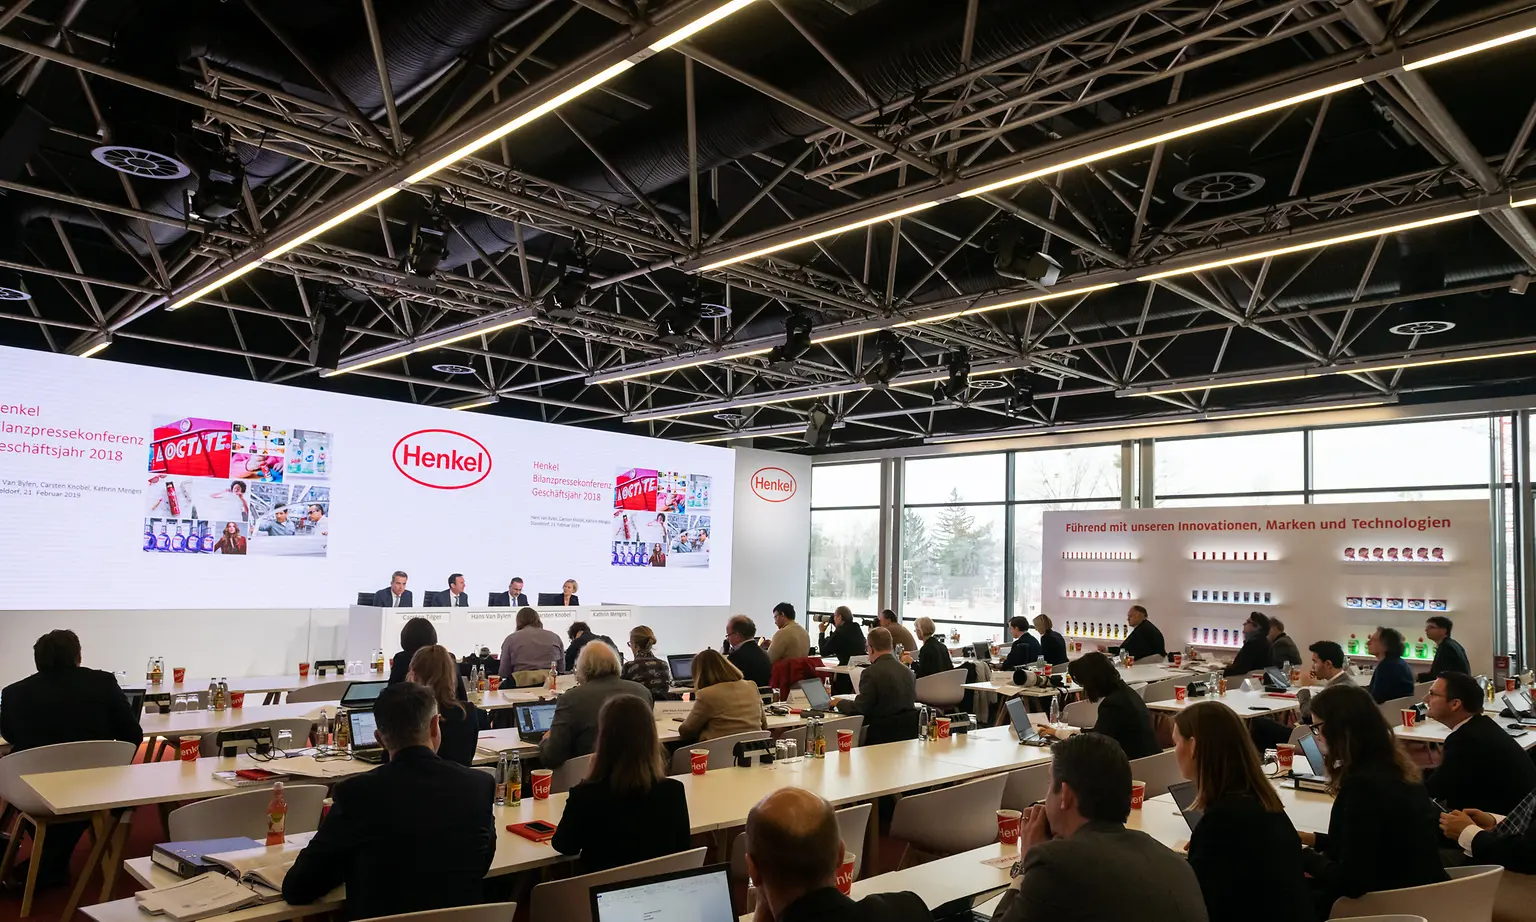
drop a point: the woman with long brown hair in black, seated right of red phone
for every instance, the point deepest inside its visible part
(627, 809)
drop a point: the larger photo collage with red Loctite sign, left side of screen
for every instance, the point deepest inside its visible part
(225, 488)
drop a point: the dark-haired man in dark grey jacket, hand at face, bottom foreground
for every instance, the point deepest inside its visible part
(1078, 858)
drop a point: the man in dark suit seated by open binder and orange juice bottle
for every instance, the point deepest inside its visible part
(412, 835)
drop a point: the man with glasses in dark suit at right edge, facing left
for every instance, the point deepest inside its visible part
(1481, 766)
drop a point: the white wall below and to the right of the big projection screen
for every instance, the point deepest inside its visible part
(770, 557)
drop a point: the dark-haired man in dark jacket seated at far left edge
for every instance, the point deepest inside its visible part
(64, 703)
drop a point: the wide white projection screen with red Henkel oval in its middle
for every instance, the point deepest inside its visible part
(128, 488)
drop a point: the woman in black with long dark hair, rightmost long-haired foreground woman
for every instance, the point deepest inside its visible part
(1385, 831)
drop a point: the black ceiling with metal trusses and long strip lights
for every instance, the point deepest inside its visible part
(592, 225)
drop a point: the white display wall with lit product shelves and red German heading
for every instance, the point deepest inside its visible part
(1199, 572)
